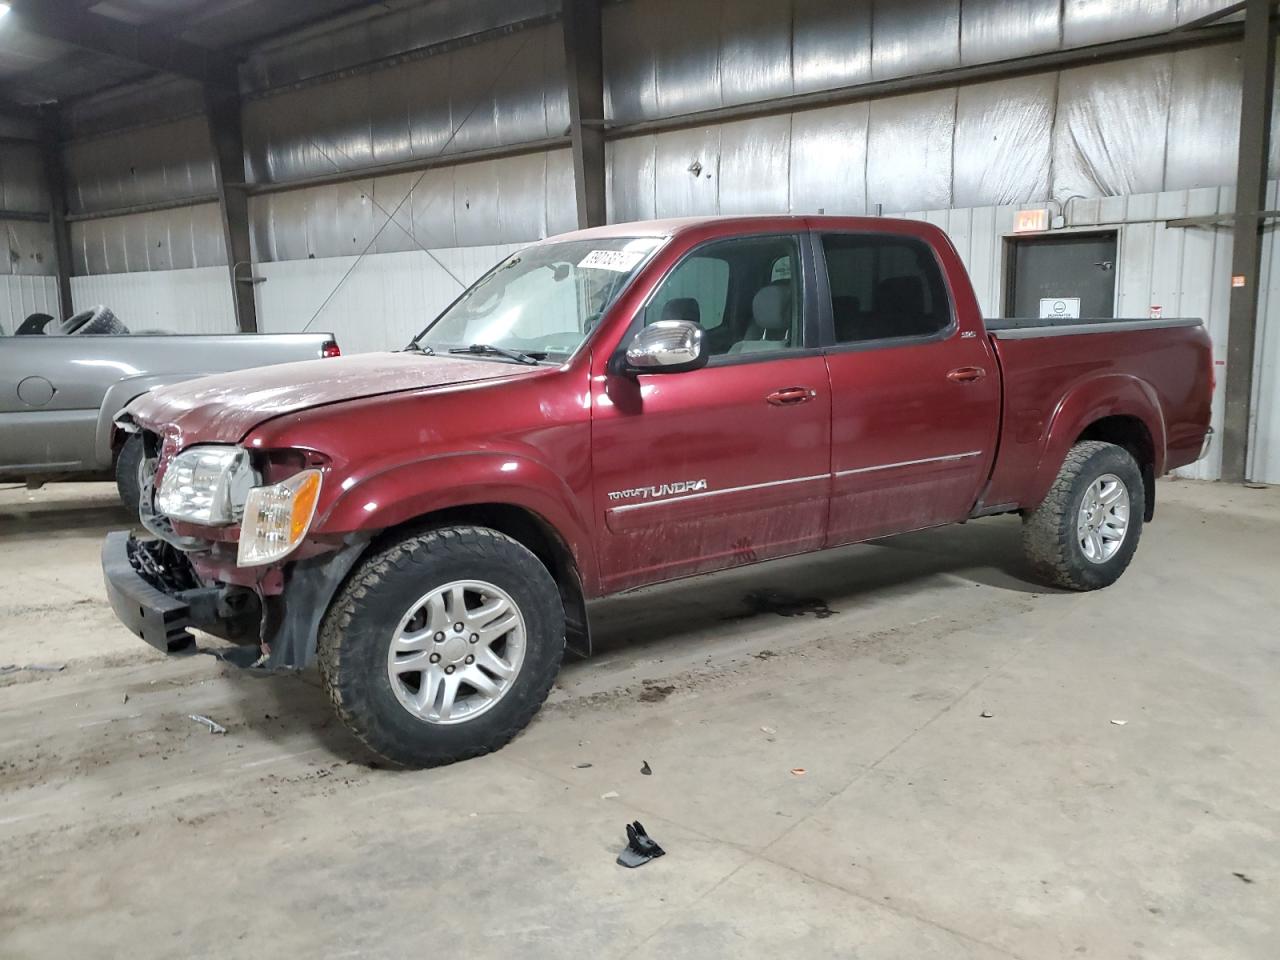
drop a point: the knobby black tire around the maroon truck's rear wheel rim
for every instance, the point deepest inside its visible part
(1050, 541)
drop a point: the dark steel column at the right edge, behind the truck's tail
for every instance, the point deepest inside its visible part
(1258, 56)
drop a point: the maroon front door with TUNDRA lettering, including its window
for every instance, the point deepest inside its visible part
(726, 465)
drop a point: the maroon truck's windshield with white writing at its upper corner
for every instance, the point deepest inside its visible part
(542, 301)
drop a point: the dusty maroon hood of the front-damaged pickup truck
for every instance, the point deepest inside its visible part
(225, 408)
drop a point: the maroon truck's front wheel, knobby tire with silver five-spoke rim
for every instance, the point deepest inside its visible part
(444, 646)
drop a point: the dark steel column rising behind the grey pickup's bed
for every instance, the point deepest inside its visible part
(223, 109)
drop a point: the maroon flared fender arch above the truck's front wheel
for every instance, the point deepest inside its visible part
(418, 488)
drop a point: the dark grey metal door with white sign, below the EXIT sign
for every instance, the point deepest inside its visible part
(1064, 277)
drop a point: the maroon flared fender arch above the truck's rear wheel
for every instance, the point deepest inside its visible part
(1087, 403)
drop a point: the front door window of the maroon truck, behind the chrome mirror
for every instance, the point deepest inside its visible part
(740, 291)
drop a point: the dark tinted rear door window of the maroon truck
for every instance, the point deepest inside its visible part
(884, 287)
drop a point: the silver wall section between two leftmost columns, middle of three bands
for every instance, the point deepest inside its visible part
(144, 166)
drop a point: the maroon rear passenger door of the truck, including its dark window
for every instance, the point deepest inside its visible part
(916, 392)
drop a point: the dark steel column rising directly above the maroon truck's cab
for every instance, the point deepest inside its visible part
(586, 67)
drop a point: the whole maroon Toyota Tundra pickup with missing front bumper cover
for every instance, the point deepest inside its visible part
(618, 408)
